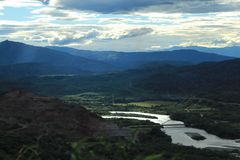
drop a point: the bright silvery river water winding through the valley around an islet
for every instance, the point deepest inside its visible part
(177, 131)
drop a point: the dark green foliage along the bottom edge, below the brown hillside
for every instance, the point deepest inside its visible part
(146, 144)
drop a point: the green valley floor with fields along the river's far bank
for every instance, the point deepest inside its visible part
(209, 115)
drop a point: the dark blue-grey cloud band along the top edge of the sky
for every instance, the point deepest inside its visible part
(169, 6)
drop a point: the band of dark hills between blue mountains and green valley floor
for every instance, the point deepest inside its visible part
(215, 80)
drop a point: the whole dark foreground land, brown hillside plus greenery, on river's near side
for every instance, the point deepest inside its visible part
(40, 138)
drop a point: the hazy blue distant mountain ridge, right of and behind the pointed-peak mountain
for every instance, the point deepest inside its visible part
(128, 60)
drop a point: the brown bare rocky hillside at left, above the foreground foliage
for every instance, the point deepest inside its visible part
(23, 114)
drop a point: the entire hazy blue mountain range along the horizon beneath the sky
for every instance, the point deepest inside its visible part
(22, 60)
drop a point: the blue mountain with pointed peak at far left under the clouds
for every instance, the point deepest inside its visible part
(12, 53)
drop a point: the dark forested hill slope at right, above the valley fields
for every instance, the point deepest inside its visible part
(213, 80)
